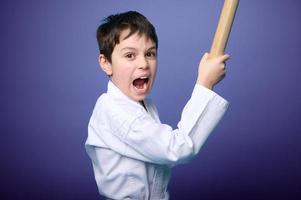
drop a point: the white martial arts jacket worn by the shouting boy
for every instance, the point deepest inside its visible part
(132, 151)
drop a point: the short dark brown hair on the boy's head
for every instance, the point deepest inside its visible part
(108, 33)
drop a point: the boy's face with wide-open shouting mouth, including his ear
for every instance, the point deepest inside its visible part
(133, 65)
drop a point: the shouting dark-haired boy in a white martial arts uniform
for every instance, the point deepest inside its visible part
(131, 151)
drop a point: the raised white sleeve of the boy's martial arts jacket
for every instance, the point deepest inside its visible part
(145, 139)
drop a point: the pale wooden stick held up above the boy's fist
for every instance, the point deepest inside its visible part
(223, 28)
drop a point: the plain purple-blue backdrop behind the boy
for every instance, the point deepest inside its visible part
(50, 80)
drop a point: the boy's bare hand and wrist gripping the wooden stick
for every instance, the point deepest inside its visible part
(211, 70)
